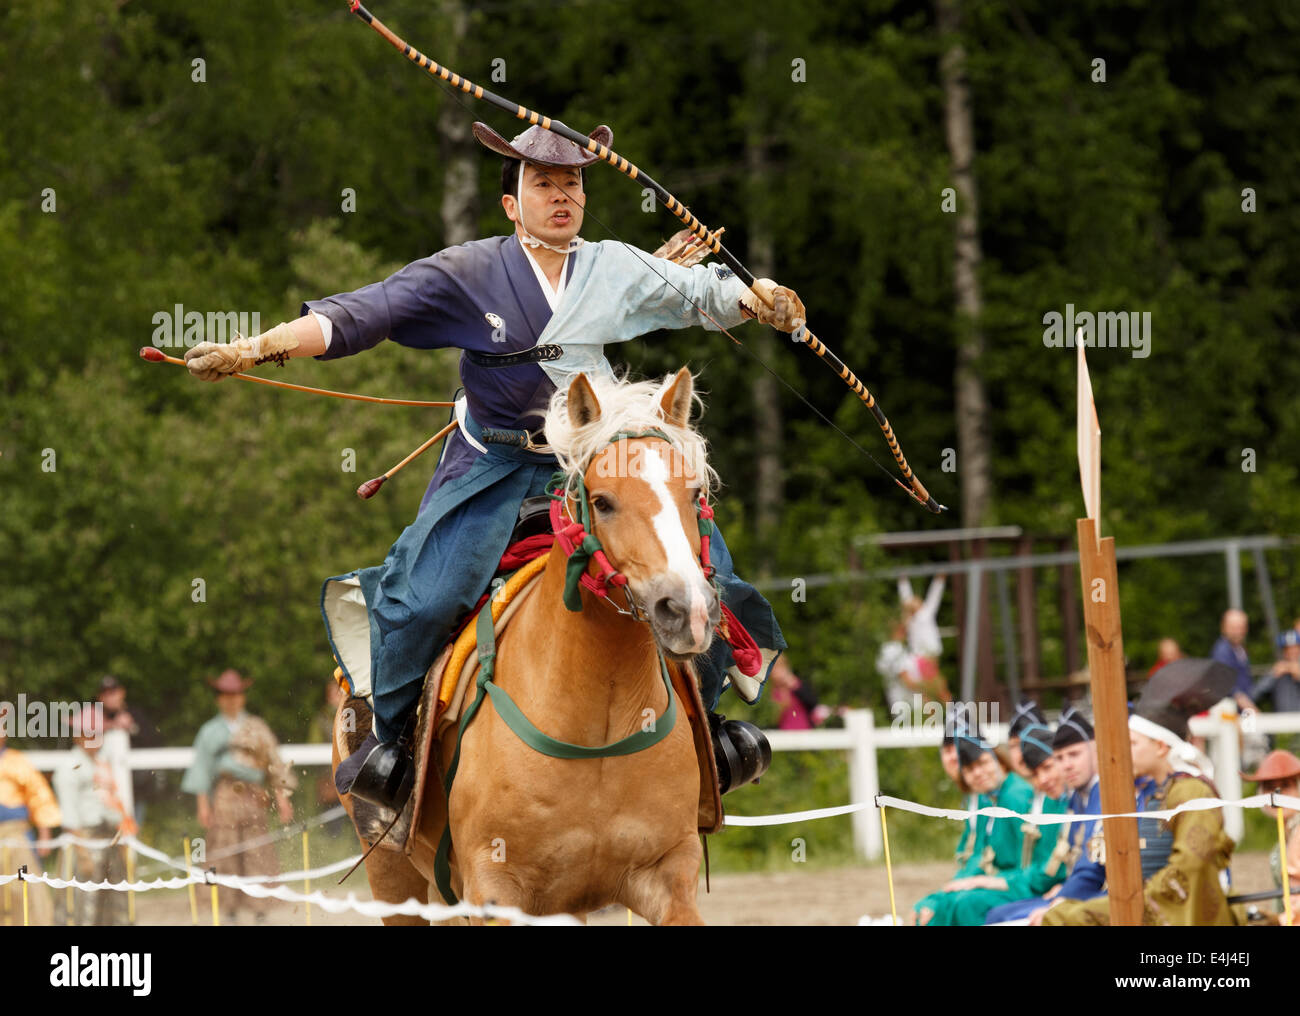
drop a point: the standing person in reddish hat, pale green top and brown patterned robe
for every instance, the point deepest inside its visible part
(236, 767)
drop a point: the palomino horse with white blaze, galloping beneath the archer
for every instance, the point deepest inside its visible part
(570, 836)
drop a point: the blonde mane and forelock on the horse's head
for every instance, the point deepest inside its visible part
(626, 406)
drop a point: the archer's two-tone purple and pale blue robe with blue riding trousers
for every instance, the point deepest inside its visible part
(387, 624)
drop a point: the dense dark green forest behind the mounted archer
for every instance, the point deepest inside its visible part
(935, 180)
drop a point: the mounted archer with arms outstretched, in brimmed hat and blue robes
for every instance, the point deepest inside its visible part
(530, 312)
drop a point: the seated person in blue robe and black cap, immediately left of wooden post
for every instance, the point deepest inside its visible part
(1078, 846)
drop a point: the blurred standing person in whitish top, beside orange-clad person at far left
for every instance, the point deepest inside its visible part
(93, 810)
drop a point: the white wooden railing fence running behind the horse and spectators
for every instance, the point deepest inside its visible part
(861, 739)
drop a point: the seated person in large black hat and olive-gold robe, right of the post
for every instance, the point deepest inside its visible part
(1181, 858)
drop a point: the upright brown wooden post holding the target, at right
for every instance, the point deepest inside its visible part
(1111, 719)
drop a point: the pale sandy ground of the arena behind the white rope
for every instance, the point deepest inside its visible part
(837, 897)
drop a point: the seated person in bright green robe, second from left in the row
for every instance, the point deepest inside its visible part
(998, 843)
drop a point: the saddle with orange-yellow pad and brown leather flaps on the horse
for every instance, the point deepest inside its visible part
(444, 697)
